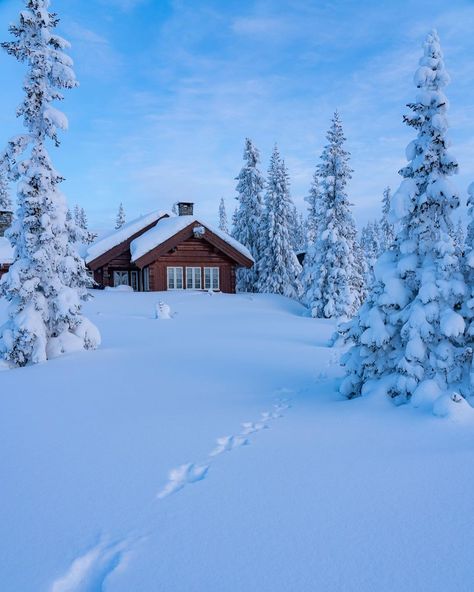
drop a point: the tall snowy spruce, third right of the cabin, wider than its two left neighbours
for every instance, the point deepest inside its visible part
(334, 266)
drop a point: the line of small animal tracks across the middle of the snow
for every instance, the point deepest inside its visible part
(193, 472)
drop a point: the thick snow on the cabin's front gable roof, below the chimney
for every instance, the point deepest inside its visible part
(168, 227)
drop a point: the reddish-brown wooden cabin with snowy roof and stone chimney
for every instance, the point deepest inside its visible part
(161, 252)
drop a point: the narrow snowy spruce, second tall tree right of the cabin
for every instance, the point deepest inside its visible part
(279, 268)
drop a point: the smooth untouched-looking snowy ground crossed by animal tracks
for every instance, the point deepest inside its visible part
(333, 496)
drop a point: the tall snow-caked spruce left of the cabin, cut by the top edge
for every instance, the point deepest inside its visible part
(46, 282)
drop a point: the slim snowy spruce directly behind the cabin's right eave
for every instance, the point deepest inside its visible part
(248, 215)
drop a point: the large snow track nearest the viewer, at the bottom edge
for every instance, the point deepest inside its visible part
(89, 572)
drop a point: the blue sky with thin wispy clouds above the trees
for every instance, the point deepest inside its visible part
(170, 89)
